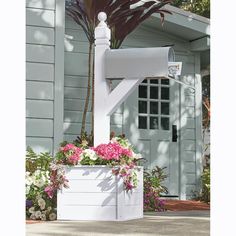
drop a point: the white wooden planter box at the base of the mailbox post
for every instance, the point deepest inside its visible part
(96, 194)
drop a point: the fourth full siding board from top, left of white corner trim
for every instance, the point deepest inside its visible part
(39, 71)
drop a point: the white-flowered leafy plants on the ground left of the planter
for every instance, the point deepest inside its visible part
(38, 205)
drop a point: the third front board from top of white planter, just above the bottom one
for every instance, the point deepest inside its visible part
(98, 199)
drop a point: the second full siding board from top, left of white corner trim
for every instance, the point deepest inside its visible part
(39, 35)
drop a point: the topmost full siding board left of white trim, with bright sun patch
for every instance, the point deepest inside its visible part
(40, 17)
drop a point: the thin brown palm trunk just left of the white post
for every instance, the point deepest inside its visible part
(90, 74)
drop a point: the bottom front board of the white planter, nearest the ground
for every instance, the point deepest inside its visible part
(87, 213)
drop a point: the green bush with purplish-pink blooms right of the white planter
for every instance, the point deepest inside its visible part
(153, 188)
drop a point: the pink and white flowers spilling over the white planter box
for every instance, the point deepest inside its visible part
(118, 153)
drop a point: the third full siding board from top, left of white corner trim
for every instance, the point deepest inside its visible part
(39, 53)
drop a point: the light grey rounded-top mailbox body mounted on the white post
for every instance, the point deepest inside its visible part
(138, 62)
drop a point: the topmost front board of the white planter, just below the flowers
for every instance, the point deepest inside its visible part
(89, 173)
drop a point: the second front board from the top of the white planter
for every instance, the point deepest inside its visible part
(90, 186)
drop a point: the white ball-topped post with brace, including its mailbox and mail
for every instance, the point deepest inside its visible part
(131, 65)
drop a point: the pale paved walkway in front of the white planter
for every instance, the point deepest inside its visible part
(170, 223)
